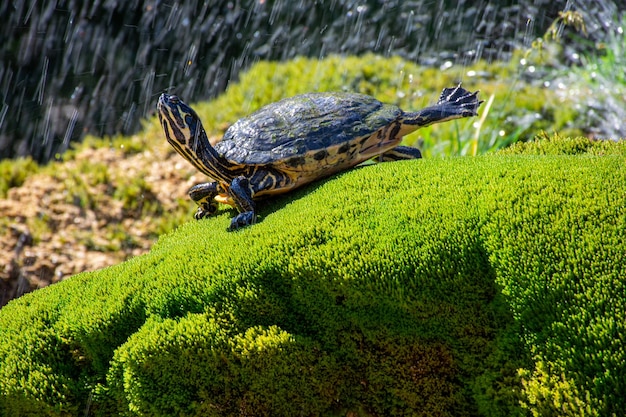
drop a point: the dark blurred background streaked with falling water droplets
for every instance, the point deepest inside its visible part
(68, 68)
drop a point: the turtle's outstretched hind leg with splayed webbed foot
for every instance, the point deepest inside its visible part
(454, 103)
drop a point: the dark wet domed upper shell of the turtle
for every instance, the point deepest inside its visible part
(304, 125)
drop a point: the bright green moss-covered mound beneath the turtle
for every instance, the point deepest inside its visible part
(466, 286)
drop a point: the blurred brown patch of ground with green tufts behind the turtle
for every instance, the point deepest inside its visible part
(67, 220)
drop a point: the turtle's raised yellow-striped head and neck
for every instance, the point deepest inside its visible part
(184, 131)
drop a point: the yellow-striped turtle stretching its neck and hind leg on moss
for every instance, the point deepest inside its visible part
(295, 141)
